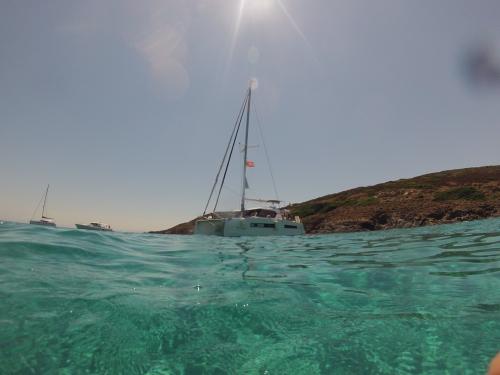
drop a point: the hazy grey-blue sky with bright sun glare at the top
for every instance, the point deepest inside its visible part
(125, 107)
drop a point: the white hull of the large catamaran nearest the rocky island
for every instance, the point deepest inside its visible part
(248, 226)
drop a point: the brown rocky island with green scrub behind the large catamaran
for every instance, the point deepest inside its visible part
(435, 198)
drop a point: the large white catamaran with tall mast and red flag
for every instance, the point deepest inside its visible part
(267, 220)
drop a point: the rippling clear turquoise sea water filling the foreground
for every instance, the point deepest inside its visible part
(418, 301)
